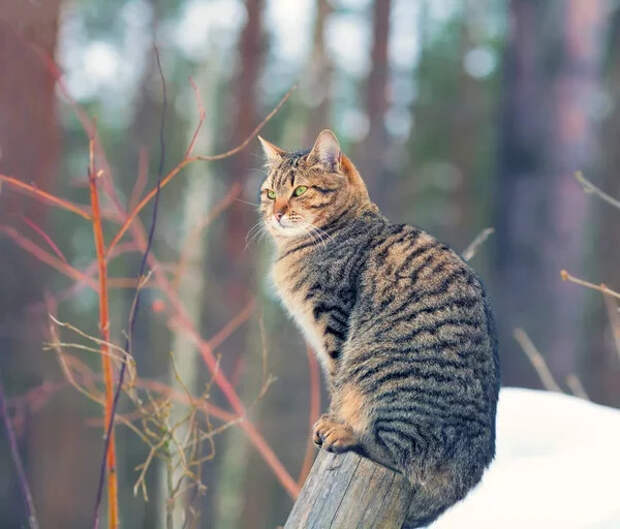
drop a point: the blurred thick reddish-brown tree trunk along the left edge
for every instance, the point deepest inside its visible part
(29, 148)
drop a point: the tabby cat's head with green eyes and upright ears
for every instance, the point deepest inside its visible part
(306, 191)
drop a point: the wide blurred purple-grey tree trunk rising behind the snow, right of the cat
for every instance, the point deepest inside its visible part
(551, 80)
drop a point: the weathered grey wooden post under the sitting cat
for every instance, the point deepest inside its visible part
(346, 491)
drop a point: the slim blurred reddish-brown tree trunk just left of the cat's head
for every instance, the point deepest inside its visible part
(235, 262)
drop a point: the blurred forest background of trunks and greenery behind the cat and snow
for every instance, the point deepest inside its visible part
(460, 115)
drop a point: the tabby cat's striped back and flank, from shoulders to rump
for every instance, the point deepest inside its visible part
(422, 348)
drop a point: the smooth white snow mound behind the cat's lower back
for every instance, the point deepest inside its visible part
(557, 466)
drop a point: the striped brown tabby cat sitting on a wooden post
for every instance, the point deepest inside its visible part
(400, 323)
